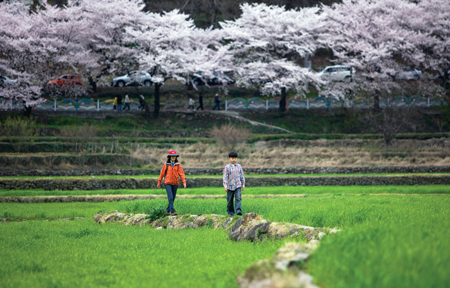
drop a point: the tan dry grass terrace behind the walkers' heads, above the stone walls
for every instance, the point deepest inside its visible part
(403, 153)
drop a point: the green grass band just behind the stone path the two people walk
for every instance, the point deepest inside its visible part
(326, 211)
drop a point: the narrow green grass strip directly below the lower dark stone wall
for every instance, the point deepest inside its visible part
(311, 190)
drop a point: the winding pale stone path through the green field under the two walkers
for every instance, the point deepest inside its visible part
(282, 271)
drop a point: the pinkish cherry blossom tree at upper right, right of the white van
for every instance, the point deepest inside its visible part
(376, 38)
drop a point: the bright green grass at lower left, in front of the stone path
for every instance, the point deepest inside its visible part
(85, 254)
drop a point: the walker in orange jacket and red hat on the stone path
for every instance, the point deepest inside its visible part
(171, 171)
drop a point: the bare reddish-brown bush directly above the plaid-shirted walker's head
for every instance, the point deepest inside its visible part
(229, 136)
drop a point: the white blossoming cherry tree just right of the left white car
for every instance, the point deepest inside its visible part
(171, 47)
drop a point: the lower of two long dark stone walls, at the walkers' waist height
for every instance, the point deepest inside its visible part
(151, 183)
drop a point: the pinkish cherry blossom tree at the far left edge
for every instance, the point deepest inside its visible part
(31, 49)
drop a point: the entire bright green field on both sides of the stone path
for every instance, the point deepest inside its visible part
(386, 241)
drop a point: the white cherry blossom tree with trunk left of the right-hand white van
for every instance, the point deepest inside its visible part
(267, 42)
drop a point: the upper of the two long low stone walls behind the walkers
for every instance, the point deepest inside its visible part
(219, 171)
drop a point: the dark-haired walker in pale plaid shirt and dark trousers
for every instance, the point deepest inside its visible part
(233, 182)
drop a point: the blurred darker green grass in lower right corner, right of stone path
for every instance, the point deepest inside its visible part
(410, 250)
